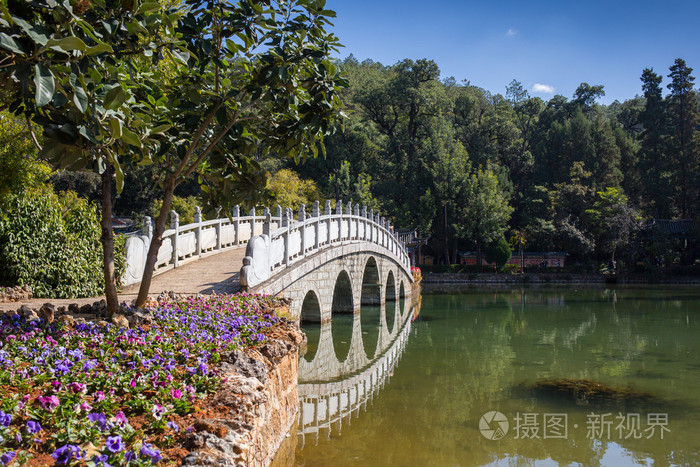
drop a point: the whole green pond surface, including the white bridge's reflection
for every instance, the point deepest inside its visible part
(469, 354)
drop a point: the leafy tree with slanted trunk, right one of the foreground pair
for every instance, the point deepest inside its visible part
(257, 81)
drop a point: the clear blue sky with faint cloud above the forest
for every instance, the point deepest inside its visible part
(549, 46)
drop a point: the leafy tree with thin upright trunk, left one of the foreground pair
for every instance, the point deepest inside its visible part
(72, 71)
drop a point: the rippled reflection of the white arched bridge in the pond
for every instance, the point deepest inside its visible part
(331, 391)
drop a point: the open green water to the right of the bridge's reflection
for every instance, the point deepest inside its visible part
(468, 353)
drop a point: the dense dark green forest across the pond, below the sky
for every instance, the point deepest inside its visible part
(468, 167)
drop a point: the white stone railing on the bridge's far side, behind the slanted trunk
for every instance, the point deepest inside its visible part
(183, 243)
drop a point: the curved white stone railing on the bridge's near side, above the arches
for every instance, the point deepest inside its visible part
(276, 250)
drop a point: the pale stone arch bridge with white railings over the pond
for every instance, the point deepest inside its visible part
(347, 257)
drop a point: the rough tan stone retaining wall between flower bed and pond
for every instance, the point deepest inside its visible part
(255, 408)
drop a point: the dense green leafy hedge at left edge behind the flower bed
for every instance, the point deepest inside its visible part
(52, 243)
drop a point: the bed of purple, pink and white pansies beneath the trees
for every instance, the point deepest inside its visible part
(108, 395)
